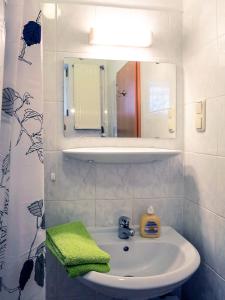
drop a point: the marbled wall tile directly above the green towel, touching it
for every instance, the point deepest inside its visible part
(60, 212)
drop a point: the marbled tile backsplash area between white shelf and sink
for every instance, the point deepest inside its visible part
(99, 193)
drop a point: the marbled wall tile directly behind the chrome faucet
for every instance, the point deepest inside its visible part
(109, 211)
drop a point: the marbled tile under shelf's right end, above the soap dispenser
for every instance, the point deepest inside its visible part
(158, 179)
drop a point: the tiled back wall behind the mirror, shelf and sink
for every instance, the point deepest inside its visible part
(99, 194)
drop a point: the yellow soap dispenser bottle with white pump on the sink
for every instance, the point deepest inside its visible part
(150, 224)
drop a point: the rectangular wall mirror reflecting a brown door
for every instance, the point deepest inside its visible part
(112, 98)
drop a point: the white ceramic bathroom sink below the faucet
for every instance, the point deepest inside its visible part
(143, 268)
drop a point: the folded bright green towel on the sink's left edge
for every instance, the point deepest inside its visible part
(76, 250)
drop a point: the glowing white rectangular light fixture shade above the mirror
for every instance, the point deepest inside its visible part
(120, 37)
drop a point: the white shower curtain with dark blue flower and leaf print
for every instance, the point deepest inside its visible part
(22, 234)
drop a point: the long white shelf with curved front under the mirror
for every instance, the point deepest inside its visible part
(120, 154)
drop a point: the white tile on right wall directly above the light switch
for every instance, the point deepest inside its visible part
(204, 72)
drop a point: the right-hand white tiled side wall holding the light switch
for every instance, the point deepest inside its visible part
(204, 206)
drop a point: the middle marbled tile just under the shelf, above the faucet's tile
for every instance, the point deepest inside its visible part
(113, 181)
